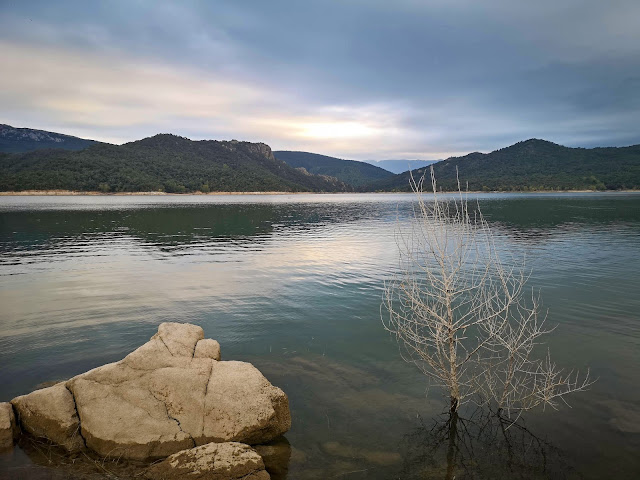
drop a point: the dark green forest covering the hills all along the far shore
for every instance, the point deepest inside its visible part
(173, 164)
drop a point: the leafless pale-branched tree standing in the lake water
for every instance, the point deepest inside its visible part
(462, 312)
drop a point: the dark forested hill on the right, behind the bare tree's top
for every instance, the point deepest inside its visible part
(532, 165)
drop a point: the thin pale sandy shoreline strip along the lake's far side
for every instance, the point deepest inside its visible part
(75, 193)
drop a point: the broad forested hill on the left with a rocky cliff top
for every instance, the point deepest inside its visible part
(160, 163)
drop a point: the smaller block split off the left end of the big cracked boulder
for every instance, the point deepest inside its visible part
(50, 413)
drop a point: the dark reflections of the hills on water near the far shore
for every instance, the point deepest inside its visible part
(208, 228)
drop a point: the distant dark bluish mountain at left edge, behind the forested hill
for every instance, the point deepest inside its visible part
(26, 139)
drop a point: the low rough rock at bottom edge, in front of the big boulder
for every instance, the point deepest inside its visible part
(213, 461)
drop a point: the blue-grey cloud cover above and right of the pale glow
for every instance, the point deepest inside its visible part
(455, 75)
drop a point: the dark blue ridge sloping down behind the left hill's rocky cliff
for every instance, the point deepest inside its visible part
(349, 171)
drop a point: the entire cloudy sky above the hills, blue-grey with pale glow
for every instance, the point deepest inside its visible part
(362, 79)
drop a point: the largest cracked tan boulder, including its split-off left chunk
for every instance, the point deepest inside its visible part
(168, 395)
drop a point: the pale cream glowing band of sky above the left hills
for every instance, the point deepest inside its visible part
(121, 99)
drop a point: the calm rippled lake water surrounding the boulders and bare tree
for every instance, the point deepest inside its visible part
(293, 284)
